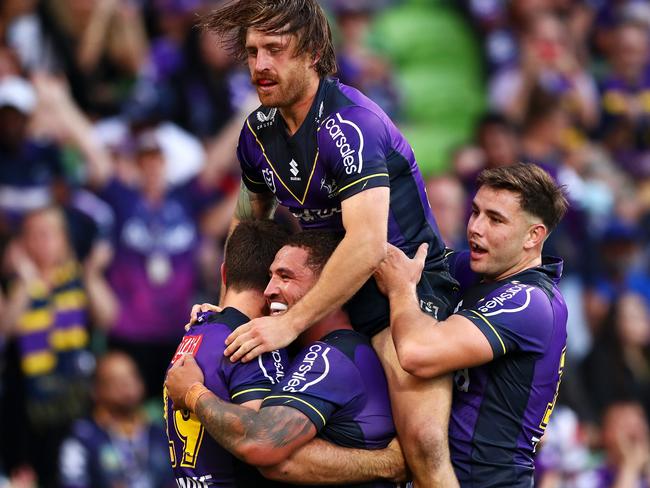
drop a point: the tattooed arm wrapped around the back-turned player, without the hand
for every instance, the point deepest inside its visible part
(262, 438)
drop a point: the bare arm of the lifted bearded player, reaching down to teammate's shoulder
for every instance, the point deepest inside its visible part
(365, 218)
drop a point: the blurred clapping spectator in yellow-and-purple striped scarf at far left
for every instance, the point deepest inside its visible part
(51, 304)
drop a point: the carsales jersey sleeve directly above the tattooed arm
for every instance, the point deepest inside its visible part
(321, 381)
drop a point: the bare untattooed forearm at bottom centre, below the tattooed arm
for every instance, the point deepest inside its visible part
(319, 462)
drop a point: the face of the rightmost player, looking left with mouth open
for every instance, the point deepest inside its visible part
(503, 237)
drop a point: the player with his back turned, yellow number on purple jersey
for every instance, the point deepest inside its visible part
(197, 460)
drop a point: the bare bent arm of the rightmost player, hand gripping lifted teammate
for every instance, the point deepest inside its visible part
(425, 347)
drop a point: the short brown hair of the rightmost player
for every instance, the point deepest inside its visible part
(539, 194)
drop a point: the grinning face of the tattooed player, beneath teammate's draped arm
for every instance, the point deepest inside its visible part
(291, 279)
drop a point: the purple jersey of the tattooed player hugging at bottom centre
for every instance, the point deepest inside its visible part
(339, 384)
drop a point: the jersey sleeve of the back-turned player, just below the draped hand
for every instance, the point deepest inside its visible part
(255, 379)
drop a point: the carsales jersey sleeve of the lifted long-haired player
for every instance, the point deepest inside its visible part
(354, 143)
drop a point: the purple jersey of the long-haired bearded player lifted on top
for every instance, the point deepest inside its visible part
(346, 145)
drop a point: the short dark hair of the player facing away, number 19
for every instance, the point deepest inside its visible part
(249, 252)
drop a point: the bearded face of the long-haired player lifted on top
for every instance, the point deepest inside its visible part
(281, 78)
